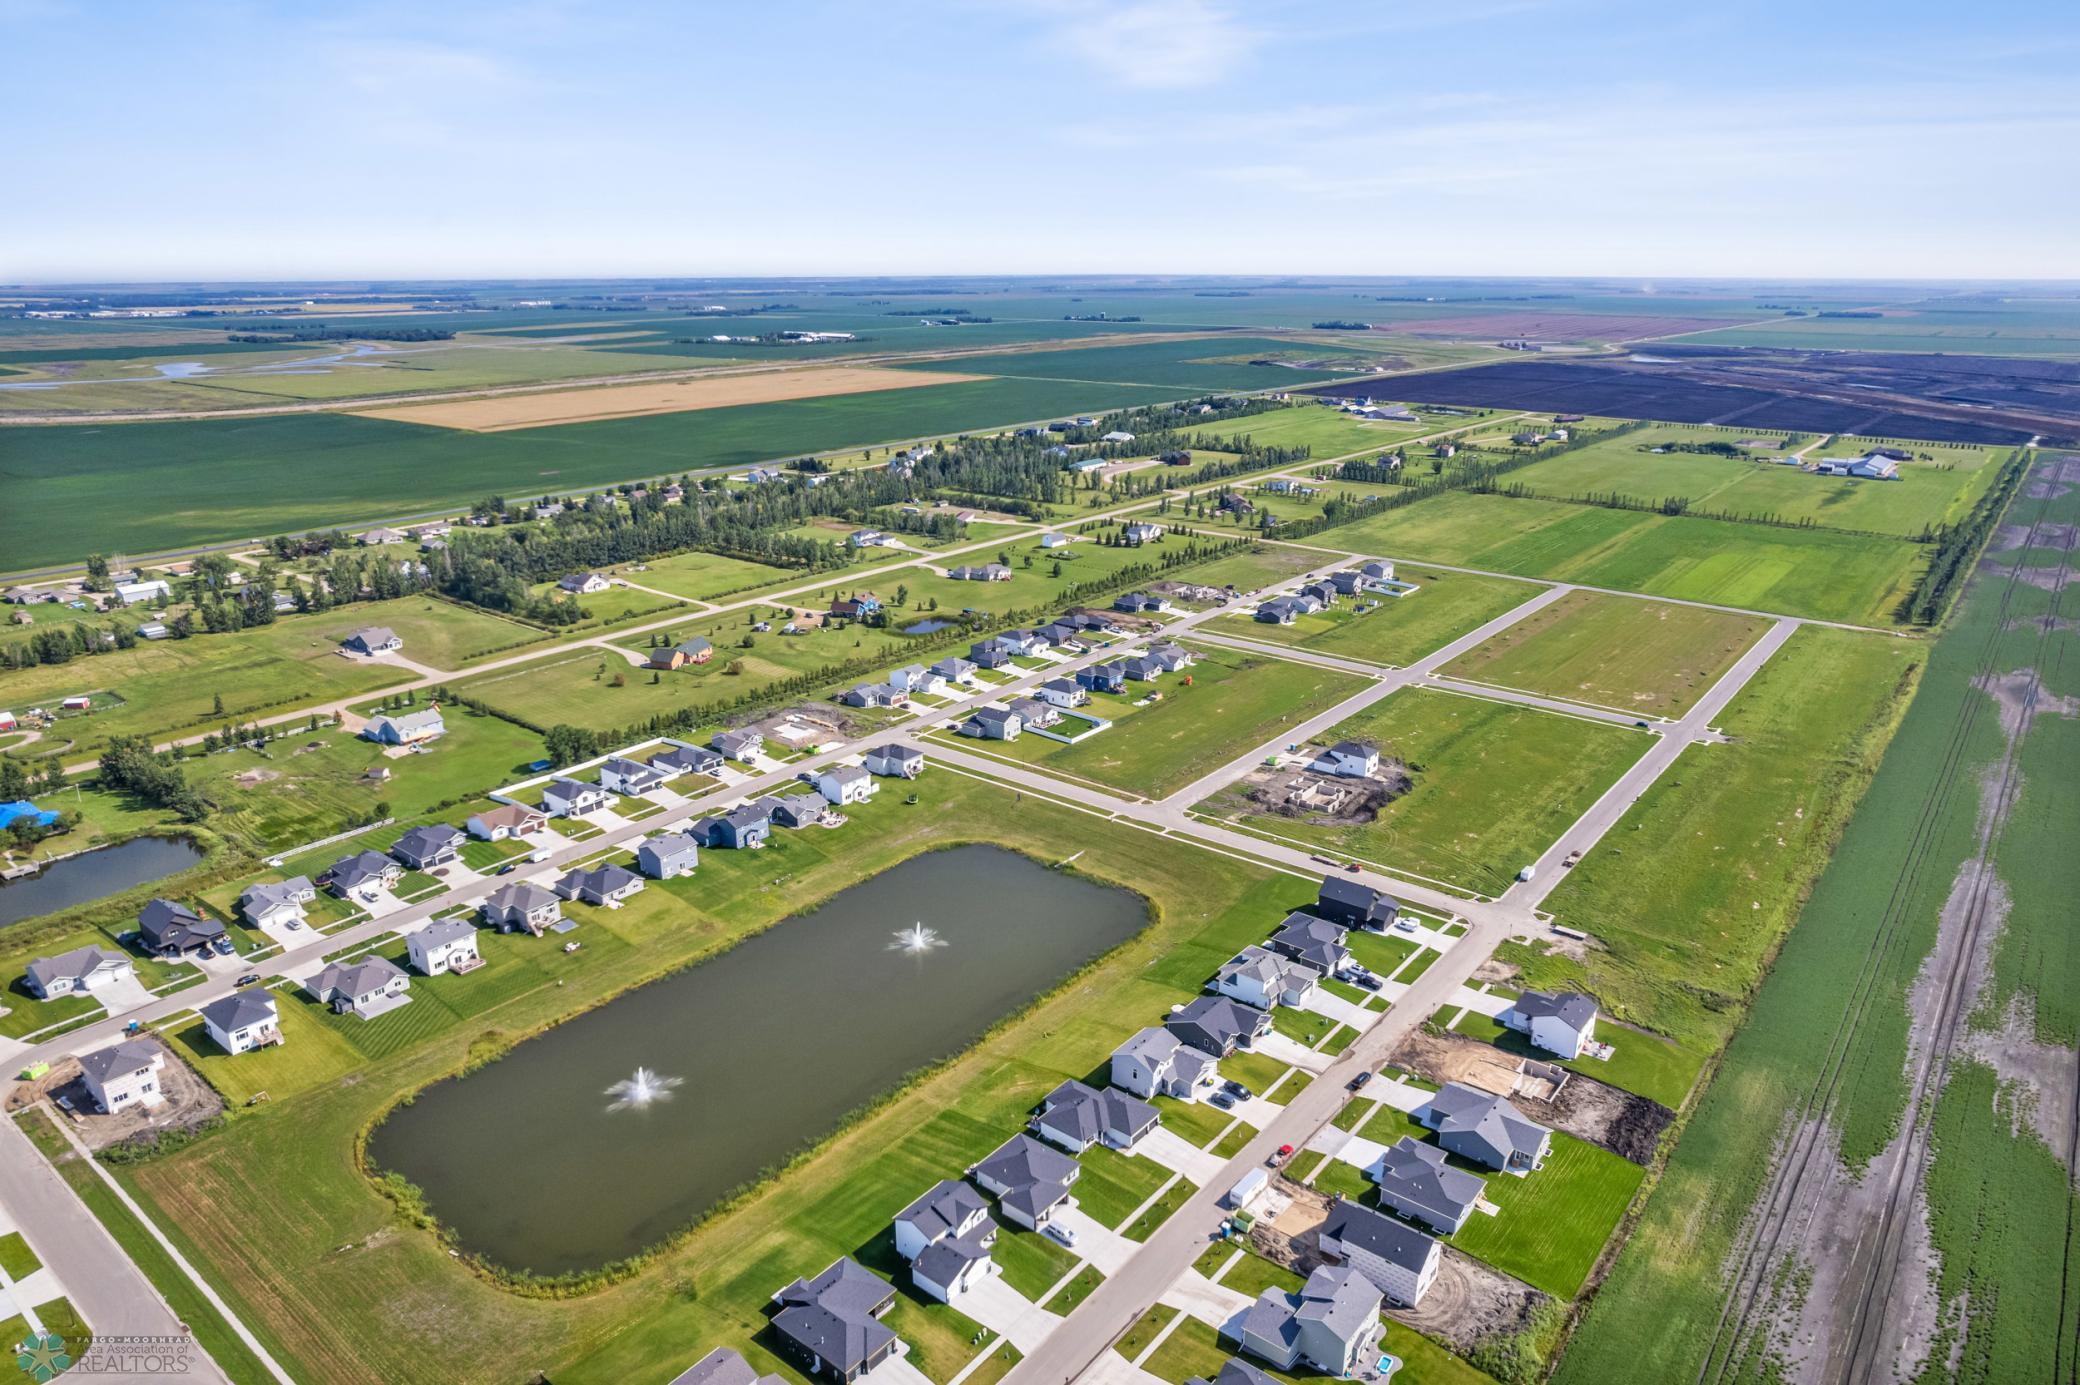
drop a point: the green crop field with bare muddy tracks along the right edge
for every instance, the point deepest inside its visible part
(1996, 1193)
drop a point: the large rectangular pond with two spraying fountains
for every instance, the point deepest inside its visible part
(538, 1166)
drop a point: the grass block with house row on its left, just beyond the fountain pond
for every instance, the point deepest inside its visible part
(1237, 700)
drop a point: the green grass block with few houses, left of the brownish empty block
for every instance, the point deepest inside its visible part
(1397, 631)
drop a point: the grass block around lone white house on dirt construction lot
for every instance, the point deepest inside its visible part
(1467, 820)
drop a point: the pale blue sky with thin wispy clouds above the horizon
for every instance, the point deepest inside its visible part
(446, 138)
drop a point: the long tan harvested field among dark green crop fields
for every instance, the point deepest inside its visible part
(506, 413)
